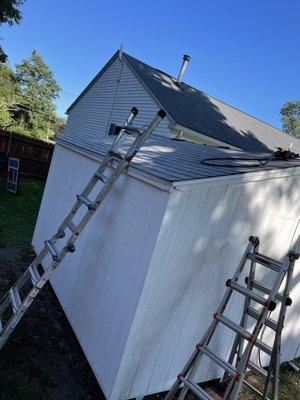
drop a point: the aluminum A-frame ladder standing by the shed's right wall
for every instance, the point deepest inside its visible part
(239, 360)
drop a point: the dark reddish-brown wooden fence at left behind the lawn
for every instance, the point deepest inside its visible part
(35, 154)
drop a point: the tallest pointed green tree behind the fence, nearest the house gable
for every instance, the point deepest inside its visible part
(38, 90)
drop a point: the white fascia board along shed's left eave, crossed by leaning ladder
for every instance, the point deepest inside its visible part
(134, 172)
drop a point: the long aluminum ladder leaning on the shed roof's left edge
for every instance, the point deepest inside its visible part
(129, 140)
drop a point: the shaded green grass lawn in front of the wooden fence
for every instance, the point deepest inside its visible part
(18, 213)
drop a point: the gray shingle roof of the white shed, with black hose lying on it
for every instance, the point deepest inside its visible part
(172, 160)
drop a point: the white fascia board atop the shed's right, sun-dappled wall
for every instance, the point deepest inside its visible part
(236, 178)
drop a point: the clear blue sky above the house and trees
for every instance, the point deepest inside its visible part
(244, 53)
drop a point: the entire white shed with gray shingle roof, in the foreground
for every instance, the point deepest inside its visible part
(149, 270)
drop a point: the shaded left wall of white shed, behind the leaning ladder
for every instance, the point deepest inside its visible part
(99, 286)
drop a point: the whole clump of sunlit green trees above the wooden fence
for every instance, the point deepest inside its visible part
(27, 98)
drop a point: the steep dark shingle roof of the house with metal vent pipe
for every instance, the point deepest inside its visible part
(202, 113)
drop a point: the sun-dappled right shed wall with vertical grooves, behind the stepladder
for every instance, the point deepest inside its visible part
(202, 238)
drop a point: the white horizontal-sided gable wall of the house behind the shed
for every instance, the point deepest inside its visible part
(110, 99)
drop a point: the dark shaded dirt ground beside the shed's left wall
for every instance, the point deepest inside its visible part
(42, 359)
